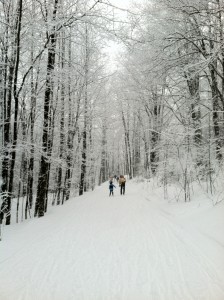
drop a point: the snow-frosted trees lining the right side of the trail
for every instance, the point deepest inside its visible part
(170, 88)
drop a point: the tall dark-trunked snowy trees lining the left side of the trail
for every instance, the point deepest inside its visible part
(52, 84)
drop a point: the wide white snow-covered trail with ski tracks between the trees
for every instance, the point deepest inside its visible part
(101, 248)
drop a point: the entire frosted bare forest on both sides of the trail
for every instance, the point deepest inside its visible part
(72, 115)
